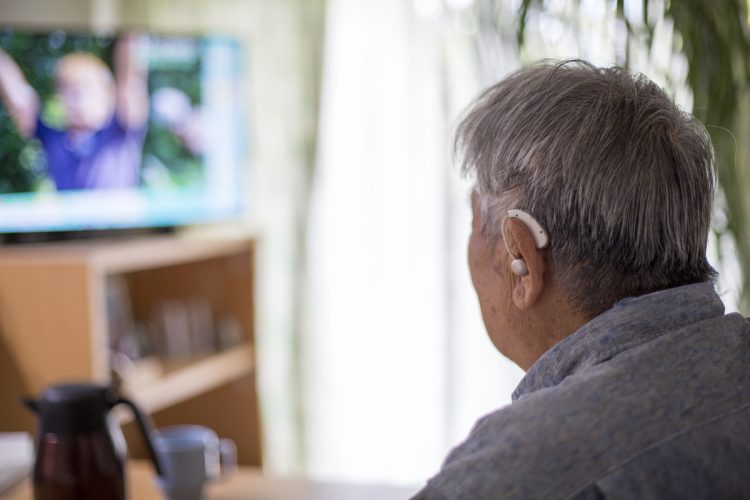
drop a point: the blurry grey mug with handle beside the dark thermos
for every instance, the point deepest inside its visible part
(190, 456)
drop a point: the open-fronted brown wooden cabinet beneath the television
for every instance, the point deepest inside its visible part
(188, 302)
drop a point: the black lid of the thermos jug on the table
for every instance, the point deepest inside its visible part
(75, 408)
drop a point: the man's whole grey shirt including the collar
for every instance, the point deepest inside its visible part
(651, 399)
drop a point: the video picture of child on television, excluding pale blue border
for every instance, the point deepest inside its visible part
(84, 112)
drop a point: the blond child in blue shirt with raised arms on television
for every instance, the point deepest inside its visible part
(103, 116)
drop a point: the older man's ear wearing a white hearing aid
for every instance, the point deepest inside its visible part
(526, 288)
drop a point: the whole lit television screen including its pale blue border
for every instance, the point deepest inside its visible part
(128, 130)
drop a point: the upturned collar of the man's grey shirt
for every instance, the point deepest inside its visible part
(630, 322)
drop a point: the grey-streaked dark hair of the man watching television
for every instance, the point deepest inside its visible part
(620, 177)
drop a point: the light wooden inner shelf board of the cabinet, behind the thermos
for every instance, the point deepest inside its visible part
(192, 379)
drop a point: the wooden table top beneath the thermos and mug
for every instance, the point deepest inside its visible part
(246, 484)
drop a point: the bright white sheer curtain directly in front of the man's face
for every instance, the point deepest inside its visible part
(397, 362)
